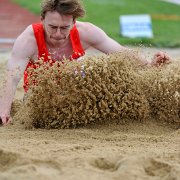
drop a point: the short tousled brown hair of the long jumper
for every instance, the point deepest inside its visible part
(65, 7)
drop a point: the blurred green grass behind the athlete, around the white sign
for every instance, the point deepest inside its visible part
(105, 14)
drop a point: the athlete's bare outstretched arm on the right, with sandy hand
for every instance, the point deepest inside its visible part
(92, 36)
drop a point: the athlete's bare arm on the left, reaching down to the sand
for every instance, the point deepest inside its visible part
(23, 49)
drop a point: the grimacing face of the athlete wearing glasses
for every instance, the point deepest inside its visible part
(57, 27)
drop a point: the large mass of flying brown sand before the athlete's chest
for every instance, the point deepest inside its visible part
(94, 90)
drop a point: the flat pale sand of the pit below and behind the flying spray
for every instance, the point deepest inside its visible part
(148, 150)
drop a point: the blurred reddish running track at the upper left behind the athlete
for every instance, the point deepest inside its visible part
(13, 20)
